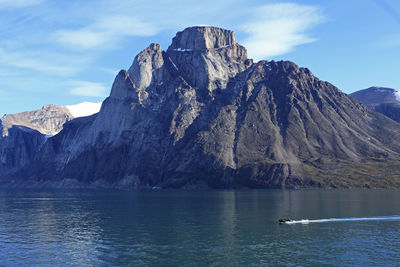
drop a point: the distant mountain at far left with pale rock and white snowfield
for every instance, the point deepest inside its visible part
(23, 134)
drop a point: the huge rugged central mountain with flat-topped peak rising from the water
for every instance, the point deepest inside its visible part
(201, 114)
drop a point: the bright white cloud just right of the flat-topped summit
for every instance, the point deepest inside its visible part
(277, 29)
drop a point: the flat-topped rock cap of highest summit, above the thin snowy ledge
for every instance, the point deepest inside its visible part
(201, 38)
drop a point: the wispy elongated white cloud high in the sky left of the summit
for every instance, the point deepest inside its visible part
(105, 32)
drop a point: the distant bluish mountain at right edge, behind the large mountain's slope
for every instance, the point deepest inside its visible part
(381, 99)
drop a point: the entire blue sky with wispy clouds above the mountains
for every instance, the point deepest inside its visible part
(66, 52)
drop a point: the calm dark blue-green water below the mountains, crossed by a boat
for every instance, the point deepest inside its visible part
(220, 228)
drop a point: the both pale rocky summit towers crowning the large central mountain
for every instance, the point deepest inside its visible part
(199, 55)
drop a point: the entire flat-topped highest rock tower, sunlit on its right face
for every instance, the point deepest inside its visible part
(207, 57)
